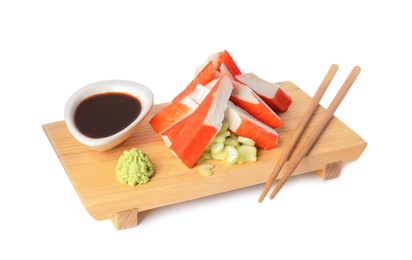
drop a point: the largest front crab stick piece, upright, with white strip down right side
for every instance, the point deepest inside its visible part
(189, 138)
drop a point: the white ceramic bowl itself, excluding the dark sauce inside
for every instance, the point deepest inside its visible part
(143, 94)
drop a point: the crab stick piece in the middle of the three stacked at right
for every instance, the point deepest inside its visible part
(244, 97)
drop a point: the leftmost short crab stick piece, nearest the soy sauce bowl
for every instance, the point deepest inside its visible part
(172, 113)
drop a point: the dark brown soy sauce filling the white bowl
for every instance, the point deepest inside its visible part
(105, 114)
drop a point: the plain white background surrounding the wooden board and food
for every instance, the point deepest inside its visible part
(49, 49)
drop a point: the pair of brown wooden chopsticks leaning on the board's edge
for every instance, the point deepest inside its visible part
(314, 135)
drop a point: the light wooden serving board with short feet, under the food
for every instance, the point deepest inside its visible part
(92, 173)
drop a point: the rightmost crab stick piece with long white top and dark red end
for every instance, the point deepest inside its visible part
(273, 95)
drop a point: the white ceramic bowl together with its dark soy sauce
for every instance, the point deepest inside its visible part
(103, 114)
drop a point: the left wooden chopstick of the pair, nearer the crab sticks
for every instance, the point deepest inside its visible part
(299, 129)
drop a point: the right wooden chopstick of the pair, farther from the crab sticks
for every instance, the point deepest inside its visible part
(320, 126)
